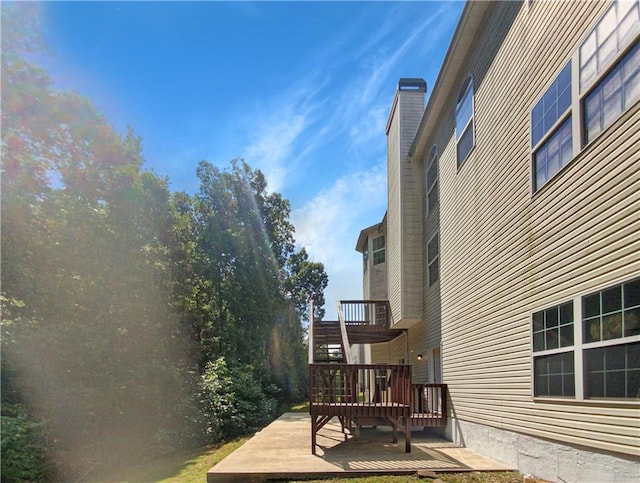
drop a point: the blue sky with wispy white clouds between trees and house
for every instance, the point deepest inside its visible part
(300, 90)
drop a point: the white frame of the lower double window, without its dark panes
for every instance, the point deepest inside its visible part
(579, 347)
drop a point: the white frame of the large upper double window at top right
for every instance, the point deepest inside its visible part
(580, 89)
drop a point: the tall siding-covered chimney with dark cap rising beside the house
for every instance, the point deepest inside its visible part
(404, 205)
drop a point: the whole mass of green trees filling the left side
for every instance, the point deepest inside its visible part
(134, 319)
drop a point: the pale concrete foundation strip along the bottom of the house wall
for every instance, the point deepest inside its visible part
(545, 459)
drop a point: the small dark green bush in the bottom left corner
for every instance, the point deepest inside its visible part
(24, 447)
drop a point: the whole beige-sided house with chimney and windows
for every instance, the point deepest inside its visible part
(509, 255)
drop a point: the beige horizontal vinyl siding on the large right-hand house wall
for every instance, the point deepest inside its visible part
(505, 252)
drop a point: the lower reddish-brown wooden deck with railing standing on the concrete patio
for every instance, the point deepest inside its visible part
(363, 394)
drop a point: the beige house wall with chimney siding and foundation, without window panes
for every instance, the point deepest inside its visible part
(509, 249)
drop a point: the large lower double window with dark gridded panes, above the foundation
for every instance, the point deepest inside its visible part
(605, 343)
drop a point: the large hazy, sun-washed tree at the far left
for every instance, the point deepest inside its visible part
(95, 344)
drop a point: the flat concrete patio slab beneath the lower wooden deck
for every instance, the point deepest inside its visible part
(282, 451)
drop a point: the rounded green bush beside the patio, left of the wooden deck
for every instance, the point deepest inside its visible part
(234, 401)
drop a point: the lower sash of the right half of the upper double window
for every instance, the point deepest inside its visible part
(619, 90)
